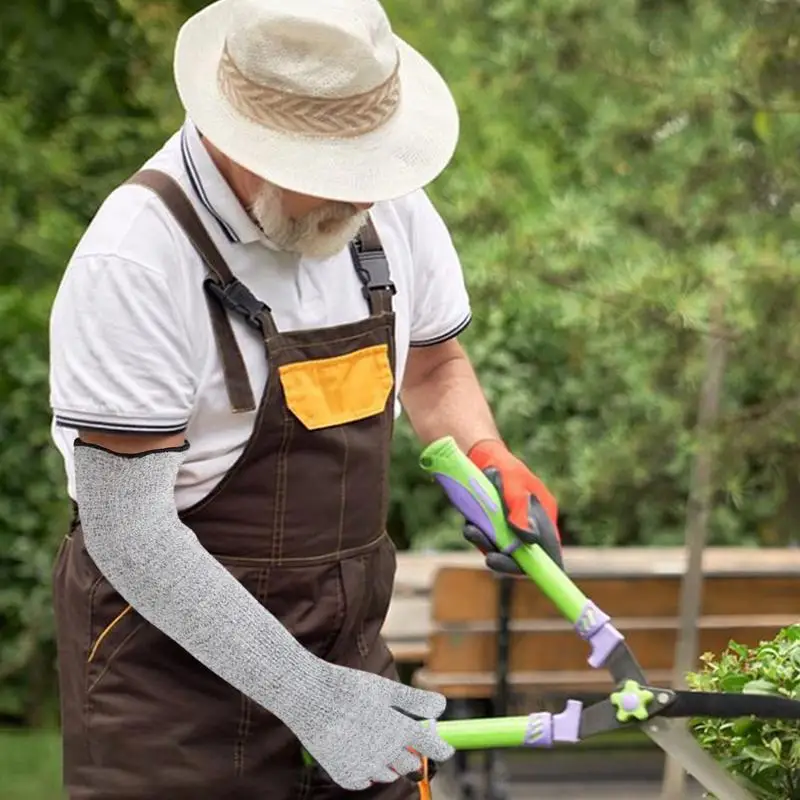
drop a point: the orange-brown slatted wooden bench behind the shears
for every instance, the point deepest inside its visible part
(492, 638)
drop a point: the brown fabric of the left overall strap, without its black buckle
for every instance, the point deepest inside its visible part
(237, 382)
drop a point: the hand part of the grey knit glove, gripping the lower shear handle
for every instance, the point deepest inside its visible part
(358, 729)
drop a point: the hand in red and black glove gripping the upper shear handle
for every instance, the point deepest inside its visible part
(530, 510)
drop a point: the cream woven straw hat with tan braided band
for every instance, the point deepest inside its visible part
(316, 96)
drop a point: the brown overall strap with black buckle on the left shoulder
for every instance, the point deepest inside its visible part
(222, 288)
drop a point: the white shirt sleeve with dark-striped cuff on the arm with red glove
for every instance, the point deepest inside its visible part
(441, 307)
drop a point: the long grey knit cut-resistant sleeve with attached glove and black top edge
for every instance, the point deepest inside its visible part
(350, 721)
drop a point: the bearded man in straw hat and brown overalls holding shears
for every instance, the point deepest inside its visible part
(230, 345)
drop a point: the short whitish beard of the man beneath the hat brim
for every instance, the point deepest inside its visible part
(319, 234)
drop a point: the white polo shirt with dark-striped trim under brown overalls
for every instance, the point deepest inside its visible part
(131, 343)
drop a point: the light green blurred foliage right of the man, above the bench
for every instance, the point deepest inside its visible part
(622, 164)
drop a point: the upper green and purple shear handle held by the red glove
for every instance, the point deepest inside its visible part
(476, 498)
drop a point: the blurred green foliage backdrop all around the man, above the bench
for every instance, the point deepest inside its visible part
(624, 168)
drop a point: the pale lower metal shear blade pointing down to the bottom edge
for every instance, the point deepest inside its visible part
(675, 740)
